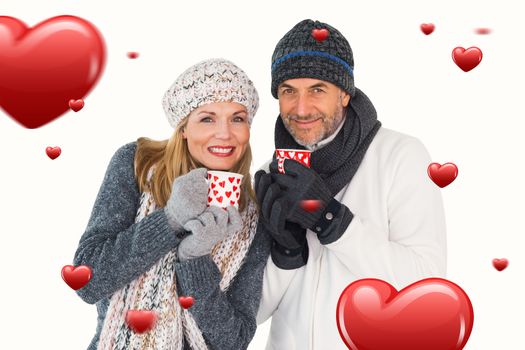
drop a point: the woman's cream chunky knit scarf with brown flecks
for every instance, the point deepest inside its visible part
(155, 290)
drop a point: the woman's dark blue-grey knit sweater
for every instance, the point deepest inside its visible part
(119, 250)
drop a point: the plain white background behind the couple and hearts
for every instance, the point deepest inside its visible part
(473, 119)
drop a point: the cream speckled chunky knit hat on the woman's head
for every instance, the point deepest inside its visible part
(213, 80)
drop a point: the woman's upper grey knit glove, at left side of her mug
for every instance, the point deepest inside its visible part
(188, 199)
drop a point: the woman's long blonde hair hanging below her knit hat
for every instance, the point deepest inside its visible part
(171, 159)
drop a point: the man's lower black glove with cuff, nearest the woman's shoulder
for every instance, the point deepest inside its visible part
(290, 248)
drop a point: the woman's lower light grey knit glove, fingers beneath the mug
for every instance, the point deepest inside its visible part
(207, 230)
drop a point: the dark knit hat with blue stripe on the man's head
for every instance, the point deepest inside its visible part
(313, 50)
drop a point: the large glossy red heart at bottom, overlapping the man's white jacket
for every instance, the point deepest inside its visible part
(431, 314)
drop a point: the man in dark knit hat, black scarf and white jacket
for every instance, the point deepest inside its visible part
(378, 215)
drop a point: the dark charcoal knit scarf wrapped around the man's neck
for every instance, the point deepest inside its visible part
(338, 161)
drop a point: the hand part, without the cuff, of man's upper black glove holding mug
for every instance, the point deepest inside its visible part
(300, 183)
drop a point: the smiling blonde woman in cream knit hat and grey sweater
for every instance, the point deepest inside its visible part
(151, 237)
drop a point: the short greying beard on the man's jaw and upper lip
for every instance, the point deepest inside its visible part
(328, 126)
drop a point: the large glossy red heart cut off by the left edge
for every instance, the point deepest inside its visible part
(44, 67)
